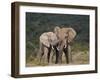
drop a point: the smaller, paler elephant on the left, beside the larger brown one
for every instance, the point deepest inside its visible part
(48, 40)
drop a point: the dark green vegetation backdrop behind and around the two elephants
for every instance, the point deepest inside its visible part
(38, 23)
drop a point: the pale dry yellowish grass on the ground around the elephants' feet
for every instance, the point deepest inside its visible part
(77, 58)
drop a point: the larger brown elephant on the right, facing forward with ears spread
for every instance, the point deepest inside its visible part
(65, 37)
